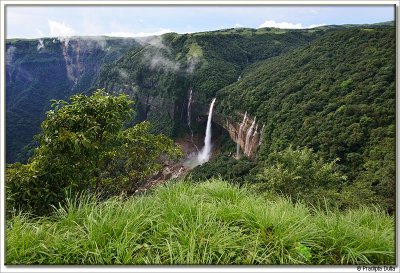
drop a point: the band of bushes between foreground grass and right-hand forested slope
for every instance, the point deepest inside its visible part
(300, 174)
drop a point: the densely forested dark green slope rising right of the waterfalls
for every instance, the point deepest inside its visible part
(336, 96)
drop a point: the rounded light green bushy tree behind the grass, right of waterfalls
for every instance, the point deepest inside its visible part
(301, 174)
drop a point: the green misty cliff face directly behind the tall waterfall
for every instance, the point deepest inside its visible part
(160, 76)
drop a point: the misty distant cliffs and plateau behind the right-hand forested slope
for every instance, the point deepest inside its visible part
(158, 73)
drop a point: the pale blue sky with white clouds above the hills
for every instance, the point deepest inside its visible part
(135, 21)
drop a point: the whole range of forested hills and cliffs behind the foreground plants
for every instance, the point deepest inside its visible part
(328, 93)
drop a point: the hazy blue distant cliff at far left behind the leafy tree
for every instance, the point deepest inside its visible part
(41, 70)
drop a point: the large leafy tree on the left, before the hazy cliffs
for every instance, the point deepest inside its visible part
(83, 146)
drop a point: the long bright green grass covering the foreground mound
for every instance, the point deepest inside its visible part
(208, 223)
